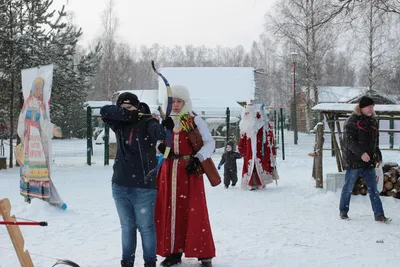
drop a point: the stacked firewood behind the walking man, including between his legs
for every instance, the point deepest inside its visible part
(391, 182)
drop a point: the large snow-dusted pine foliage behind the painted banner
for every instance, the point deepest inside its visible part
(31, 35)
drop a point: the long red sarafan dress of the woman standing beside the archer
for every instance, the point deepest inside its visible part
(181, 217)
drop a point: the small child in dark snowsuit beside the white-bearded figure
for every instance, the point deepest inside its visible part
(230, 169)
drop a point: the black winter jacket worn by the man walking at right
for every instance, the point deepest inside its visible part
(361, 135)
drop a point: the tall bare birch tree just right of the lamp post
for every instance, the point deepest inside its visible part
(308, 26)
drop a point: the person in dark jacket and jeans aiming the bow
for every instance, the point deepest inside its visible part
(134, 193)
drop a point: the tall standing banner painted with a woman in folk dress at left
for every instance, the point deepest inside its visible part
(36, 131)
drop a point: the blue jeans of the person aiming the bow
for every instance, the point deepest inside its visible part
(135, 207)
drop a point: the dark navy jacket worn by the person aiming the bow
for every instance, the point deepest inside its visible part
(136, 145)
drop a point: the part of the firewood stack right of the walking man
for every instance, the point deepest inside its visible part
(391, 181)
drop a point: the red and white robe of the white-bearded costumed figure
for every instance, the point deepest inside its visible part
(259, 157)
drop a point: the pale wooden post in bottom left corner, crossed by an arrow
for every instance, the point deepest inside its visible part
(15, 234)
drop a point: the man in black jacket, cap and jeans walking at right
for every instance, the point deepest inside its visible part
(361, 154)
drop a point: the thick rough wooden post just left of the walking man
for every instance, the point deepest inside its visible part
(318, 153)
